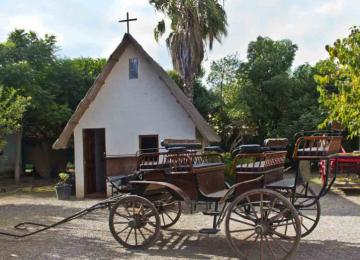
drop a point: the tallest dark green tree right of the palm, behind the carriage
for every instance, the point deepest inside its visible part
(266, 83)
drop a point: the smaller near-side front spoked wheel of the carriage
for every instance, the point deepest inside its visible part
(134, 222)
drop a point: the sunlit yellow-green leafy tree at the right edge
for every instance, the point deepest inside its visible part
(338, 80)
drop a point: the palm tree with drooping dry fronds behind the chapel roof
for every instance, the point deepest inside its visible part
(194, 24)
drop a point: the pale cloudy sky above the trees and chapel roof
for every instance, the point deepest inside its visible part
(90, 28)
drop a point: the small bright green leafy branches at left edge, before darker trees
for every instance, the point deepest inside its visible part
(12, 108)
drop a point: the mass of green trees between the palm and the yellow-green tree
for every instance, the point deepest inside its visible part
(262, 97)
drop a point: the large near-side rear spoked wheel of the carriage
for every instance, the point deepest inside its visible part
(262, 224)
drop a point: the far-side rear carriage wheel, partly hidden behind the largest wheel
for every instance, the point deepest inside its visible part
(309, 214)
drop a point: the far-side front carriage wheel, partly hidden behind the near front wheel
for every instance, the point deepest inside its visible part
(169, 210)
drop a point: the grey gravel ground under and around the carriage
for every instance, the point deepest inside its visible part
(336, 237)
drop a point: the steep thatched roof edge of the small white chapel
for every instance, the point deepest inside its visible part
(202, 126)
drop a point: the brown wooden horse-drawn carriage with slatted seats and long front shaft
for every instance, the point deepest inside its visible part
(264, 214)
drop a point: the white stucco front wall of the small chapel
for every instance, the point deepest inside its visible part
(129, 108)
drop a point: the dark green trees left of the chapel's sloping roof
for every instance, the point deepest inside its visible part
(29, 65)
